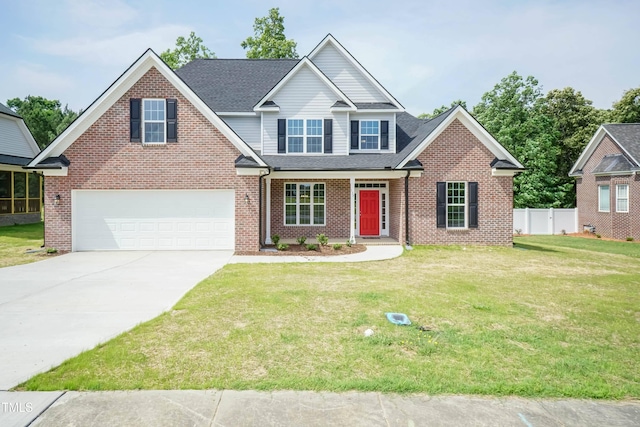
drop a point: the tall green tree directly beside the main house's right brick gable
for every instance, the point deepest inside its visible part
(512, 113)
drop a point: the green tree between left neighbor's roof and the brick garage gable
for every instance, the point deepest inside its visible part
(44, 117)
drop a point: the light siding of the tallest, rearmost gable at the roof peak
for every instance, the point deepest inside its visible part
(347, 77)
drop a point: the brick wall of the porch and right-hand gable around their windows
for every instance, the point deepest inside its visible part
(456, 155)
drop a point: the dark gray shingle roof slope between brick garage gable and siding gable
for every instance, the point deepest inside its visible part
(234, 85)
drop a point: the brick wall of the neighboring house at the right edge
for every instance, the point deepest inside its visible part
(617, 225)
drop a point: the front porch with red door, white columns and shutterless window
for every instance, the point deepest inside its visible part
(367, 211)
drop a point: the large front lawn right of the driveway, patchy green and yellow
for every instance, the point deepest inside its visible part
(553, 316)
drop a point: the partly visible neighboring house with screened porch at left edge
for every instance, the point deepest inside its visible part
(20, 191)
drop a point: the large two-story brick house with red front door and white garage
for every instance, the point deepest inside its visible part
(223, 154)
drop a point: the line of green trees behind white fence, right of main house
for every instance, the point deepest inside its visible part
(546, 133)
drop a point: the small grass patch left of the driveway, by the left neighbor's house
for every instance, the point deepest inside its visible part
(16, 240)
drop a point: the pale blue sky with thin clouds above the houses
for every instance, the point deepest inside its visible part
(426, 53)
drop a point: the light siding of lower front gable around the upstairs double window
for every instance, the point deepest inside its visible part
(305, 96)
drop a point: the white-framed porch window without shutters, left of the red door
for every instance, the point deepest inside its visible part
(304, 203)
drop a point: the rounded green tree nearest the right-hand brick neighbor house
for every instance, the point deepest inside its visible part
(575, 120)
